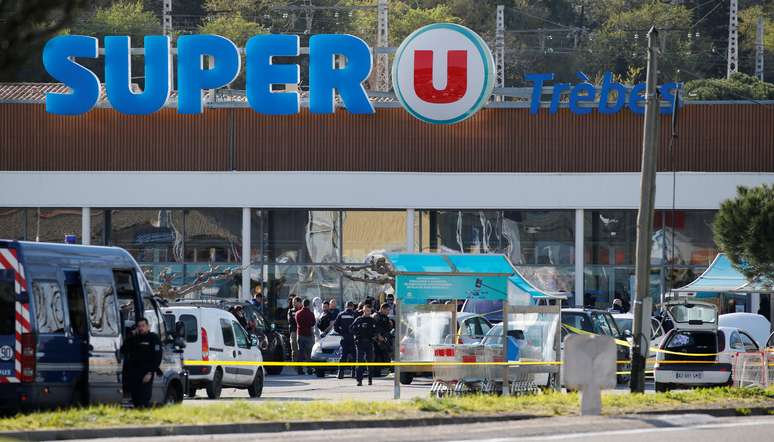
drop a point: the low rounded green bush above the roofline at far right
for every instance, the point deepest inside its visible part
(739, 87)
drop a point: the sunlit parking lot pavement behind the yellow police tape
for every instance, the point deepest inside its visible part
(292, 387)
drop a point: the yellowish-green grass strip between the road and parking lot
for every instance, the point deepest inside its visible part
(546, 404)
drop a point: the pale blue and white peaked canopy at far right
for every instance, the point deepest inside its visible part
(722, 277)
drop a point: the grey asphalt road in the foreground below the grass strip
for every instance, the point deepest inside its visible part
(682, 428)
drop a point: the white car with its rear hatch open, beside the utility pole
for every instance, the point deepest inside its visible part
(696, 352)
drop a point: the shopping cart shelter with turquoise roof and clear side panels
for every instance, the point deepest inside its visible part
(520, 355)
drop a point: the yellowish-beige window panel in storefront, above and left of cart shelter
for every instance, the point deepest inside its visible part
(367, 232)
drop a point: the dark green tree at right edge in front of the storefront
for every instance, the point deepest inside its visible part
(744, 230)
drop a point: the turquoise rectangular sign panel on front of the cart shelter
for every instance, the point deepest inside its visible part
(420, 289)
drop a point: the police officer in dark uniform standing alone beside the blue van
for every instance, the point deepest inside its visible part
(142, 359)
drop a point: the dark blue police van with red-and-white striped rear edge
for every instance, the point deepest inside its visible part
(65, 311)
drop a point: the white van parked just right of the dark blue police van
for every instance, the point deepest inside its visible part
(213, 334)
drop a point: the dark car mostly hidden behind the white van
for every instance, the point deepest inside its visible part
(273, 344)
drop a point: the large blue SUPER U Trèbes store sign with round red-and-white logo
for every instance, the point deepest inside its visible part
(443, 73)
